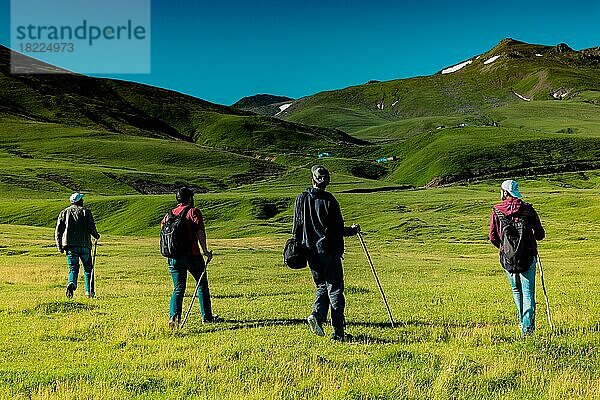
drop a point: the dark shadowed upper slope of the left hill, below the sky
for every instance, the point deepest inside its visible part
(136, 109)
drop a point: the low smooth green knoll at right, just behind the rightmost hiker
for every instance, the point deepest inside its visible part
(459, 154)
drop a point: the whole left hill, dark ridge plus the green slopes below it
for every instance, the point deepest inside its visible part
(66, 132)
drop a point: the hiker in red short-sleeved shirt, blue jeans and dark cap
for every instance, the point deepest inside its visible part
(191, 260)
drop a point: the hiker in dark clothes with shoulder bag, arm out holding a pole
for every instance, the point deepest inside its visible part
(319, 226)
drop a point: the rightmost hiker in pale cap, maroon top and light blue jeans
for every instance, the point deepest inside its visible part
(515, 228)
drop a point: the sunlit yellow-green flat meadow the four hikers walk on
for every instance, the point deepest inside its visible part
(456, 334)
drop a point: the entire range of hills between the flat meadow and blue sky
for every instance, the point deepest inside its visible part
(516, 110)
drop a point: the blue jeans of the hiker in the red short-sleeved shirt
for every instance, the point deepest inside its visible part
(179, 269)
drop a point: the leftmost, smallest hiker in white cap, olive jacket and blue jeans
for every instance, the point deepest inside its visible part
(74, 228)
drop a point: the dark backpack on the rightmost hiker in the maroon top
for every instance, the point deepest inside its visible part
(515, 254)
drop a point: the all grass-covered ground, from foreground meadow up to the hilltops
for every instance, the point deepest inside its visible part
(127, 146)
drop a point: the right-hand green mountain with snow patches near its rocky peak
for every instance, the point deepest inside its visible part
(516, 110)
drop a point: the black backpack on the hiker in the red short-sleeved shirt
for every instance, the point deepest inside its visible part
(175, 240)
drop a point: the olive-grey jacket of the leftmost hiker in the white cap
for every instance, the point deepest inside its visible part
(74, 227)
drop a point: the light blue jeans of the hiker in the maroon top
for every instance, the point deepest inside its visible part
(523, 287)
